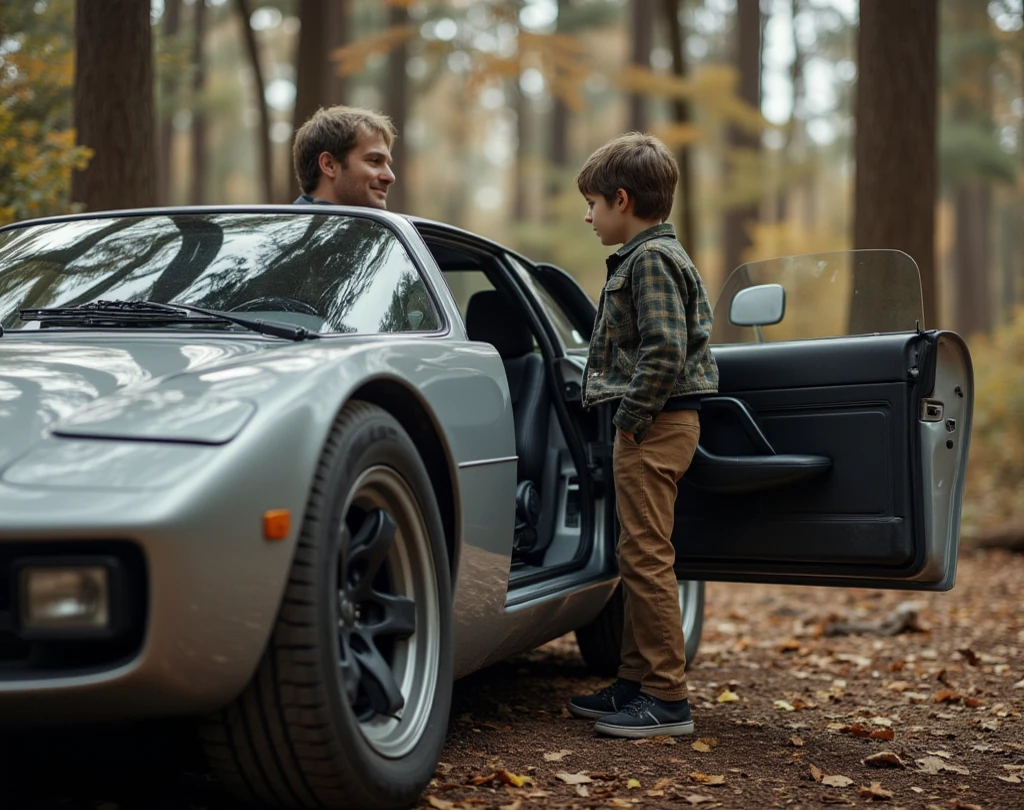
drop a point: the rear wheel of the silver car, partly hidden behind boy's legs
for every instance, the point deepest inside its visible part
(601, 642)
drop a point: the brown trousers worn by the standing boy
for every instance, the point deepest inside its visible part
(654, 650)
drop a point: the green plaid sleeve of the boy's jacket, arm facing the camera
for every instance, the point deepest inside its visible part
(659, 295)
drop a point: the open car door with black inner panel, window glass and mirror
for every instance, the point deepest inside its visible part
(836, 450)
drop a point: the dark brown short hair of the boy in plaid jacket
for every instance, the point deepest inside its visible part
(638, 163)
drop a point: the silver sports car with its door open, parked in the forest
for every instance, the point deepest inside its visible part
(293, 472)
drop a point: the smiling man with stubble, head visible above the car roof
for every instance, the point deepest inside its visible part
(343, 156)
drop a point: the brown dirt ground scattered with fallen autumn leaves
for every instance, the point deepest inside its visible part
(802, 698)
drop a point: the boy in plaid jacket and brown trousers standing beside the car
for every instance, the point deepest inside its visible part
(650, 352)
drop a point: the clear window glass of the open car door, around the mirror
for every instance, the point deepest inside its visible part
(828, 295)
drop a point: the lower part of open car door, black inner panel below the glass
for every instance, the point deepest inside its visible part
(854, 408)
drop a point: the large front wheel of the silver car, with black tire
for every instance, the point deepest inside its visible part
(315, 729)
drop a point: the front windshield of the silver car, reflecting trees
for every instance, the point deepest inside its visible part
(326, 273)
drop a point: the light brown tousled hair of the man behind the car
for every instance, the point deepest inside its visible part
(334, 130)
